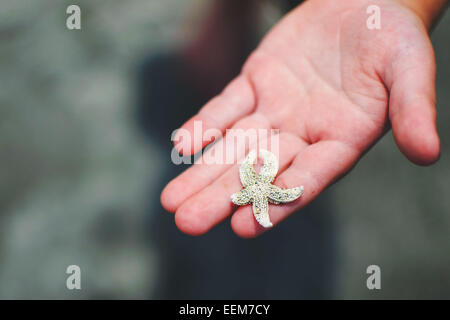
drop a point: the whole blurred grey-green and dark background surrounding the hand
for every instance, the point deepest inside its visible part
(85, 123)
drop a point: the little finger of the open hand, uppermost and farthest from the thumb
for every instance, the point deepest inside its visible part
(236, 101)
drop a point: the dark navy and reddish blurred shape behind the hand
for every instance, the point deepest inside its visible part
(294, 260)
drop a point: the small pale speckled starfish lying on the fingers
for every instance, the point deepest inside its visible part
(258, 188)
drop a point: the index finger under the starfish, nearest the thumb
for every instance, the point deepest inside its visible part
(315, 167)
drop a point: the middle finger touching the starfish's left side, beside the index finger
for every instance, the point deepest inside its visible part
(213, 204)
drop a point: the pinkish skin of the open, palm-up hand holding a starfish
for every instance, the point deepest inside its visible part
(333, 88)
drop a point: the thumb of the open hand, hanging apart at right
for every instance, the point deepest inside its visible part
(410, 79)
